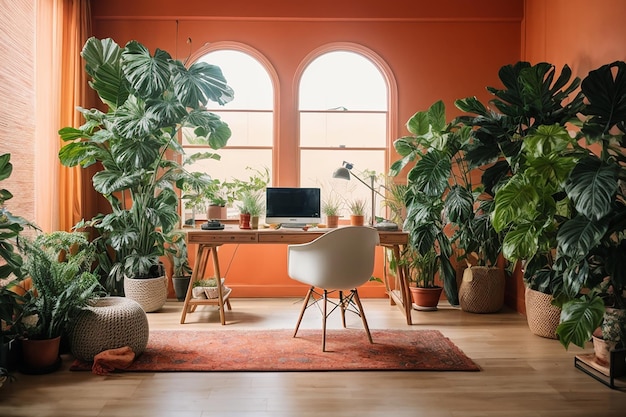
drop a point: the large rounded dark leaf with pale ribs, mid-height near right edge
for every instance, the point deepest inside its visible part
(592, 186)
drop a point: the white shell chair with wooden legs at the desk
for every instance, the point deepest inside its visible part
(339, 260)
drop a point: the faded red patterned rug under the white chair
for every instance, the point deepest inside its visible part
(277, 350)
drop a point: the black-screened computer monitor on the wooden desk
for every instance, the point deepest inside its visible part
(292, 206)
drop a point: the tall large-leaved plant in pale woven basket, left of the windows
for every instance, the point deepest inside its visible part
(150, 100)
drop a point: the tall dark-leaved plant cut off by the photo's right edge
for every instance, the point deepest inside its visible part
(591, 245)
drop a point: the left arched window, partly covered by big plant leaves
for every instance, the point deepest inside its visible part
(250, 116)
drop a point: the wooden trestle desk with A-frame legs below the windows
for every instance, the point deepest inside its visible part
(209, 240)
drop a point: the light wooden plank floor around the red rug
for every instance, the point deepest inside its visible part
(522, 375)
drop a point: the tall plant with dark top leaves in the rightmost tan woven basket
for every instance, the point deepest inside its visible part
(525, 154)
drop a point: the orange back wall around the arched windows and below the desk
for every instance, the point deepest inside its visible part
(436, 50)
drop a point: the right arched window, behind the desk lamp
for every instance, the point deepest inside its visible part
(343, 115)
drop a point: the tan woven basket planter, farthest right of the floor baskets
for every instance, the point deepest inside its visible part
(543, 317)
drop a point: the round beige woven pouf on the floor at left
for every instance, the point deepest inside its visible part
(113, 322)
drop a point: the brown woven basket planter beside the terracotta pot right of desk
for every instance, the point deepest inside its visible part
(482, 290)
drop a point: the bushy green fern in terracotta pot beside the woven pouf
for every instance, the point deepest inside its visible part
(59, 265)
